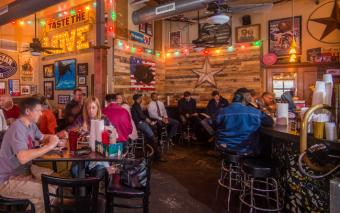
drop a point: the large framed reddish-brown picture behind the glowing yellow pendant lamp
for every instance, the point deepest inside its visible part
(281, 35)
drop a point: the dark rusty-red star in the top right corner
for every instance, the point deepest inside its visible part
(332, 23)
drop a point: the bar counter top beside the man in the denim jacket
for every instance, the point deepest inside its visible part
(284, 133)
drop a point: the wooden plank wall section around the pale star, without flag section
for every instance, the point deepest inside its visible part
(242, 68)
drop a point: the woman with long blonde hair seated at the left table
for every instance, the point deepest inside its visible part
(91, 110)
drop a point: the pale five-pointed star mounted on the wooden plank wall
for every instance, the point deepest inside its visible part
(206, 74)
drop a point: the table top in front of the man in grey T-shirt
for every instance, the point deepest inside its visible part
(66, 155)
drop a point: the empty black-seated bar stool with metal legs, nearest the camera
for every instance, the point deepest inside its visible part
(260, 185)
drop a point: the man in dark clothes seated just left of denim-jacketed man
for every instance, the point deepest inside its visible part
(215, 104)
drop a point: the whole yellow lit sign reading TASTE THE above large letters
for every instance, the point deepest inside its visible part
(71, 38)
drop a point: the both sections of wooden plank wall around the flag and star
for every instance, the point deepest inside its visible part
(174, 76)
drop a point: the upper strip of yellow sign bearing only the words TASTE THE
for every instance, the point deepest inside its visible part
(67, 21)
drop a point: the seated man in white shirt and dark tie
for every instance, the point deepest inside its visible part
(158, 112)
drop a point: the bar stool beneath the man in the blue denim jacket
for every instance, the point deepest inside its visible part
(231, 175)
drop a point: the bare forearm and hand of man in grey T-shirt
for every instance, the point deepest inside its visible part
(25, 156)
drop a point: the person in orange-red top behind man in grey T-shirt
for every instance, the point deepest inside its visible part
(47, 123)
